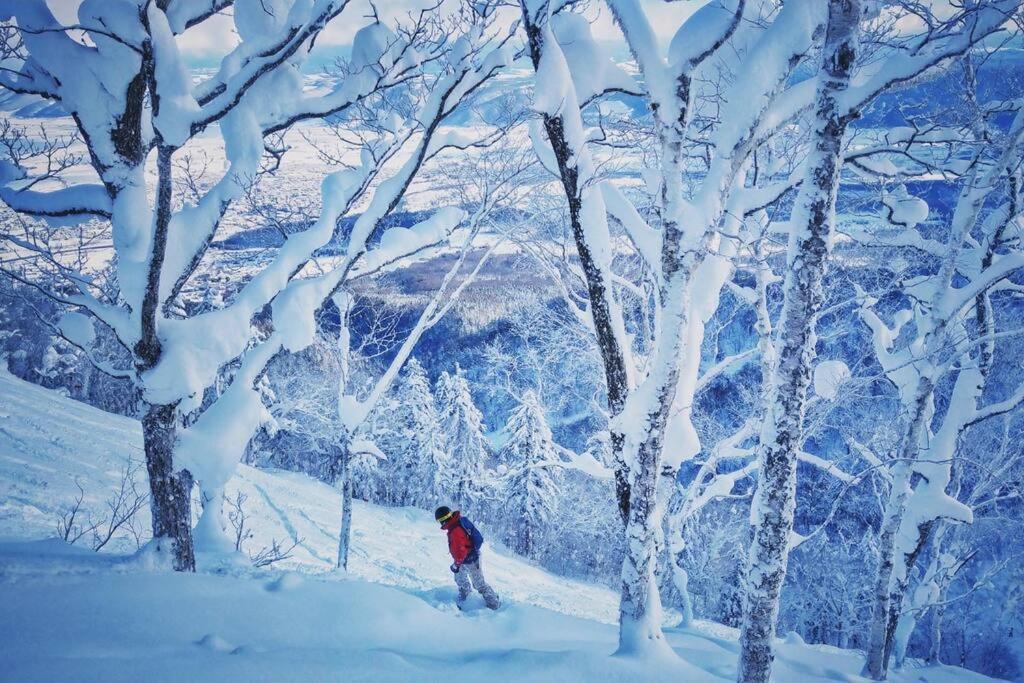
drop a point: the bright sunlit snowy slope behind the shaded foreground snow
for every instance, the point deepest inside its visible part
(49, 443)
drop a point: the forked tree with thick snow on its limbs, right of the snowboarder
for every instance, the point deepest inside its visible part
(652, 386)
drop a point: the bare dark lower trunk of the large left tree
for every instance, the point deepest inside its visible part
(170, 492)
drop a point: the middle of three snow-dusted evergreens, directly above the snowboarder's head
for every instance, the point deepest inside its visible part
(462, 475)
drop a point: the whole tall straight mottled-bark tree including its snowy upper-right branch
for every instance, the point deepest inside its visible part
(837, 103)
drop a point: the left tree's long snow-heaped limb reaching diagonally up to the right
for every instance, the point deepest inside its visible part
(297, 302)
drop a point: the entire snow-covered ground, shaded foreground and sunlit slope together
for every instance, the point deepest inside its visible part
(73, 615)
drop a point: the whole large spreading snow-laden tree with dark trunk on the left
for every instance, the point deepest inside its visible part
(149, 109)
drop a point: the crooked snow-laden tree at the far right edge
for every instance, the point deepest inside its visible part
(931, 338)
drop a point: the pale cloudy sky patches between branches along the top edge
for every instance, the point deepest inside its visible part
(217, 36)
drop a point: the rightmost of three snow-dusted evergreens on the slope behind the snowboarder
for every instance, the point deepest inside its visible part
(532, 491)
